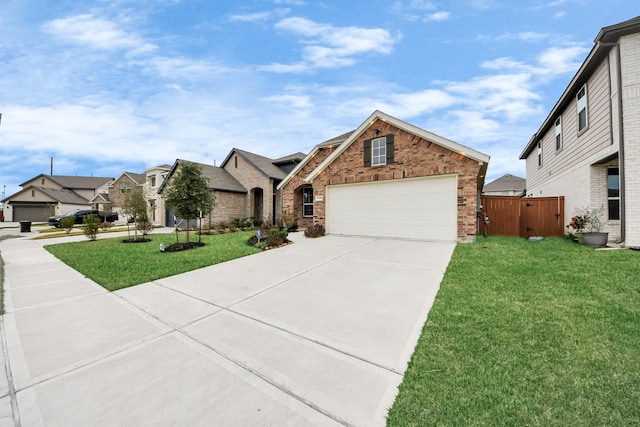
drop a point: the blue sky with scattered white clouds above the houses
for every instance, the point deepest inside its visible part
(122, 85)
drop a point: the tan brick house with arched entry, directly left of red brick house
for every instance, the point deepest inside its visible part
(260, 176)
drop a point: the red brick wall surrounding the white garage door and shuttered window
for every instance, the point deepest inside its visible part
(413, 157)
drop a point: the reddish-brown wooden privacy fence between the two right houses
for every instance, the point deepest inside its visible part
(524, 217)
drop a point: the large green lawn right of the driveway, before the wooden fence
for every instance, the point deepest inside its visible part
(528, 333)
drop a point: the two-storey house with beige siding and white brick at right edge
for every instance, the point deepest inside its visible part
(588, 147)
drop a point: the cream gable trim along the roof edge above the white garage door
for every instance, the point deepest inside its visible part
(379, 115)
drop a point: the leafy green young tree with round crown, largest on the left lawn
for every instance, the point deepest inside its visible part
(188, 193)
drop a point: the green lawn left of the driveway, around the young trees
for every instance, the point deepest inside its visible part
(116, 265)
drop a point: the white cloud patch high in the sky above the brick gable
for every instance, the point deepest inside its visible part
(328, 46)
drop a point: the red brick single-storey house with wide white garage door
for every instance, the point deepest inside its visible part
(389, 178)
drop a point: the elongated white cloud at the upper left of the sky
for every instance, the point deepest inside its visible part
(96, 32)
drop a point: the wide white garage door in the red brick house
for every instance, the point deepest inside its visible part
(418, 208)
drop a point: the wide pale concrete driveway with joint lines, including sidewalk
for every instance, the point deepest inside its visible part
(315, 333)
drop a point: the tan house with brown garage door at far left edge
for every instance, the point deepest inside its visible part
(46, 195)
